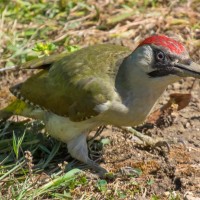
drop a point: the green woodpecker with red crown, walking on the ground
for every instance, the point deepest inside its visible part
(99, 85)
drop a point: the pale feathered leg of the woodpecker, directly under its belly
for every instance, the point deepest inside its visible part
(77, 148)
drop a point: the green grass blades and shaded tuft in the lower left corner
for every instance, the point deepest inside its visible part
(21, 177)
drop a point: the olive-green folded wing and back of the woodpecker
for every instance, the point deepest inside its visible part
(74, 84)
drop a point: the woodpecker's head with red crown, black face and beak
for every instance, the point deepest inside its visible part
(163, 58)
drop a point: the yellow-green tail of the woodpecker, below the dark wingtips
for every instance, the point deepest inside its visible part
(14, 108)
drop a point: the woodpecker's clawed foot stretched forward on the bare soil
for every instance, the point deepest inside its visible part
(148, 141)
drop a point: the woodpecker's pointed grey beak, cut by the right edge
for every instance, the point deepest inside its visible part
(187, 70)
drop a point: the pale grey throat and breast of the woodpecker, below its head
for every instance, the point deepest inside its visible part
(141, 95)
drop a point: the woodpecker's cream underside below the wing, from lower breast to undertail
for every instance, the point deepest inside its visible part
(63, 129)
